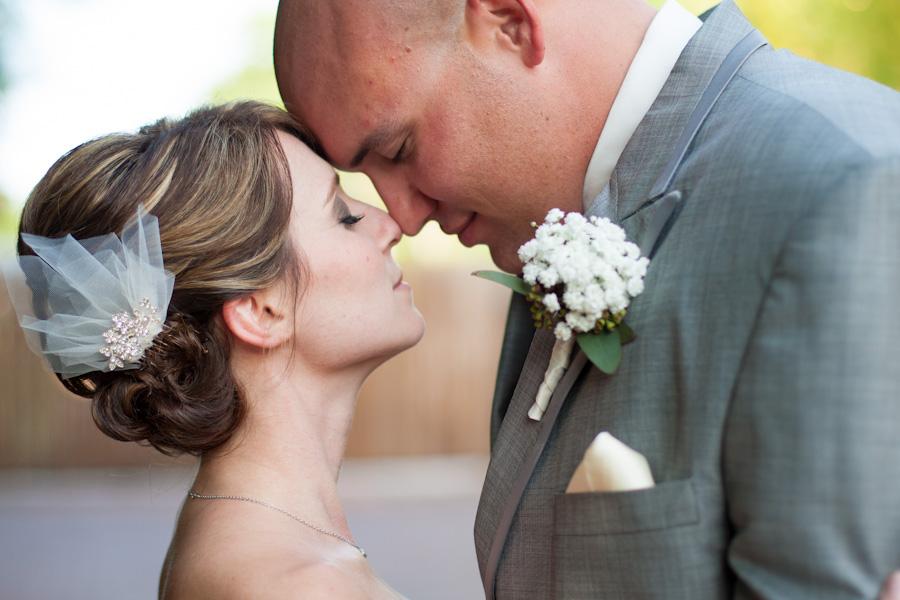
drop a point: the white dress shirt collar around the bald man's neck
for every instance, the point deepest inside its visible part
(669, 33)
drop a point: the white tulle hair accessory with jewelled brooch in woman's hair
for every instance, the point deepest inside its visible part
(94, 304)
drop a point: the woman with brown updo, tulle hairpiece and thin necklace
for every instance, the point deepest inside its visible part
(277, 298)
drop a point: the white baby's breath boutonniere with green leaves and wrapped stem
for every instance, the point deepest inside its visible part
(580, 275)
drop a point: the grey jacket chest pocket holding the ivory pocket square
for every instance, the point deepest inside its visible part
(636, 544)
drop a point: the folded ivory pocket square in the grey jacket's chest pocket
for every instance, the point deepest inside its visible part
(610, 466)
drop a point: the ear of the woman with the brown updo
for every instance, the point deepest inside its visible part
(258, 319)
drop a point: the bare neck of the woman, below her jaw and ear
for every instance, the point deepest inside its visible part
(290, 446)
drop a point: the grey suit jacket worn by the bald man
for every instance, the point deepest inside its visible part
(764, 385)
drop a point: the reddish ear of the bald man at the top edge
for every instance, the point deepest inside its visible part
(512, 24)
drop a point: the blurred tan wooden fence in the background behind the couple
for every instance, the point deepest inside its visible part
(432, 399)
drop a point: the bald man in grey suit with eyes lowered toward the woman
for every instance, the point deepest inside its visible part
(764, 385)
